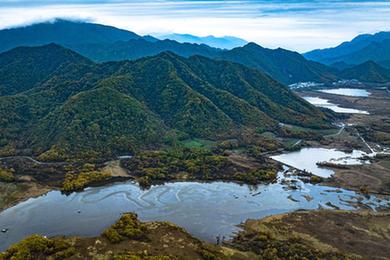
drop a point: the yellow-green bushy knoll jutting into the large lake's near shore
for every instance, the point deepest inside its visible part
(127, 226)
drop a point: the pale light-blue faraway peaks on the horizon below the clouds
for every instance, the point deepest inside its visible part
(226, 42)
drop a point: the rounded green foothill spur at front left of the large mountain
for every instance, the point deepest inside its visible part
(97, 121)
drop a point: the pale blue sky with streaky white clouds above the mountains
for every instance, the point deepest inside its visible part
(299, 25)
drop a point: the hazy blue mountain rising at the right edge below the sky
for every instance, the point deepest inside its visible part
(366, 47)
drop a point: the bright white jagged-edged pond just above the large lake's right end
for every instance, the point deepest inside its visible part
(307, 158)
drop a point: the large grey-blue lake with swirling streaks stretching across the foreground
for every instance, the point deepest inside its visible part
(204, 209)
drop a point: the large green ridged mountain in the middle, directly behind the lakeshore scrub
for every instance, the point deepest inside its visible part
(97, 110)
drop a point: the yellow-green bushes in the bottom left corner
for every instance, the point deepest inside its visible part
(36, 245)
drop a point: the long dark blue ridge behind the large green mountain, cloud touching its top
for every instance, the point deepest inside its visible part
(101, 43)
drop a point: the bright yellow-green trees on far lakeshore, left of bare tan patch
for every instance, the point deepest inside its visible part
(79, 181)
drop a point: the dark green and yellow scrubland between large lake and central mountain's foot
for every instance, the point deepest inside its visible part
(192, 164)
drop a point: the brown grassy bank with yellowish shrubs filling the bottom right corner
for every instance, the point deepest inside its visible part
(318, 234)
